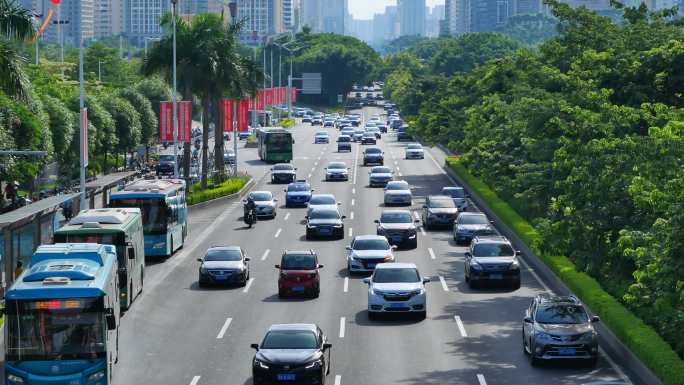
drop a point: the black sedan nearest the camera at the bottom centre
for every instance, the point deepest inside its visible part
(292, 353)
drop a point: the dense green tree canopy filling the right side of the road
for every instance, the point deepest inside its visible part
(585, 137)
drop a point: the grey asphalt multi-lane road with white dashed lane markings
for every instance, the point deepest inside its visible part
(177, 333)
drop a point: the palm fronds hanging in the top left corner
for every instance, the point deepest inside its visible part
(15, 24)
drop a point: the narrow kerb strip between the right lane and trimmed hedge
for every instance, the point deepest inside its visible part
(607, 340)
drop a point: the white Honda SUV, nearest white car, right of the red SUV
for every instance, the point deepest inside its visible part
(396, 288)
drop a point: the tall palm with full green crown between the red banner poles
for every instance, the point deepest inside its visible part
(208, 66)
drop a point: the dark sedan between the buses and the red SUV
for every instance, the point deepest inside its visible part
(224, 265)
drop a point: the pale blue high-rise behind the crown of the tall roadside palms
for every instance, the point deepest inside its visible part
(142, 18)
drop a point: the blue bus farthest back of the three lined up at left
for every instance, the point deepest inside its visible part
(164, 211)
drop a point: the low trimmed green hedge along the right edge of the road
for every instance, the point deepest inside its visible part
(651, 349)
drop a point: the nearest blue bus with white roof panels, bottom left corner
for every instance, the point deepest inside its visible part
(62, 317)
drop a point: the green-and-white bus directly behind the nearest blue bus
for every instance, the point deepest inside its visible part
(121, 228)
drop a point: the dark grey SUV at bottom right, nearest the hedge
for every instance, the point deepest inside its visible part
(559, 328)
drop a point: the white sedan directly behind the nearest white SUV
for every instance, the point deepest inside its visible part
(368, 251)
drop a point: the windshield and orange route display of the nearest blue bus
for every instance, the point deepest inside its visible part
(56, 329)
